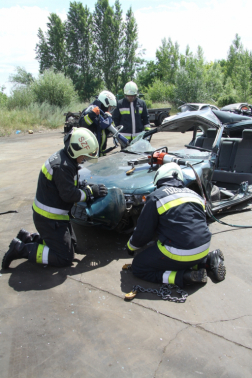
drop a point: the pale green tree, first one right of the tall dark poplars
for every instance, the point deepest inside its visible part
(168, 60)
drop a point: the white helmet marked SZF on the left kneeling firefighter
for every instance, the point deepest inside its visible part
(83, 142)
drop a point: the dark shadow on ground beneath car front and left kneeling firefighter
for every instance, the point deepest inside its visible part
(91, 243)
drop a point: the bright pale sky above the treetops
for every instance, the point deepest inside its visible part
(212, 24)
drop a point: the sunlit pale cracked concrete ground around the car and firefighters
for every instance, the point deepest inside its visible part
(74, 322)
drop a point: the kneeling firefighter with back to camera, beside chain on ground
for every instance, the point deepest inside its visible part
(176, 216)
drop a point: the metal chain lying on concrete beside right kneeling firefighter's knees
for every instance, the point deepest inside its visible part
(164, 292)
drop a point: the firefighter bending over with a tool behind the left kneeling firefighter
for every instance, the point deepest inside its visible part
(97, 118)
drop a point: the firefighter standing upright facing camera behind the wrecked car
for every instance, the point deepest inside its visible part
(131, 113)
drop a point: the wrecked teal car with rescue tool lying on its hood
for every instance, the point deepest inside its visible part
(214, 165)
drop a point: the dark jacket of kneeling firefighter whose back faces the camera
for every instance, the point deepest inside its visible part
(177, 215)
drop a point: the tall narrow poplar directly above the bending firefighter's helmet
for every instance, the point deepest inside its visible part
(108, 37)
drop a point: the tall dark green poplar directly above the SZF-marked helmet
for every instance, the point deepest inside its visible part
(81, 51)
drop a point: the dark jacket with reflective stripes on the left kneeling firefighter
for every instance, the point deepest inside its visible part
(57, 188)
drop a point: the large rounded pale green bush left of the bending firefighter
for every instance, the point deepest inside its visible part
(53, 88)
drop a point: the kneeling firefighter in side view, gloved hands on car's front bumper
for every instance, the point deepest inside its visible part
(58, 189)
